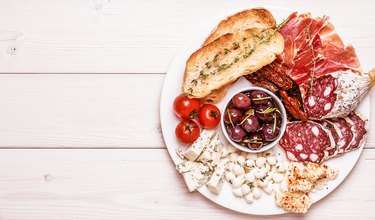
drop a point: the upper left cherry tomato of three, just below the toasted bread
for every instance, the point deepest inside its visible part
(186, 108)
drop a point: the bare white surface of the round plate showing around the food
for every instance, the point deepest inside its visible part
(172, 87)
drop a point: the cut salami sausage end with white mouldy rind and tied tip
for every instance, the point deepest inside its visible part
(335, 94)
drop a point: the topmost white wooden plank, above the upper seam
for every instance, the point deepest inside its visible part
(111, 36)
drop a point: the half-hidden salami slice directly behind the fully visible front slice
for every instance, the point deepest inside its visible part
(346, 131)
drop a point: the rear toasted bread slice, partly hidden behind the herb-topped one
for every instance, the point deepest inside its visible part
(252, 18)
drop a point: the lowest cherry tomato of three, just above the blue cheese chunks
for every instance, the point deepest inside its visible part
(187, 131)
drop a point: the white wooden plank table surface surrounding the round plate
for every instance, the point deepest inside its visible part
(80, 86)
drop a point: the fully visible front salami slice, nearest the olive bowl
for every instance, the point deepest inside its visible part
(306, 141)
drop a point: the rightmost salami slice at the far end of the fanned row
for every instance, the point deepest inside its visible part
(359, 129)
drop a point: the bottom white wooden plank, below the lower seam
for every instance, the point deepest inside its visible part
(123, 184)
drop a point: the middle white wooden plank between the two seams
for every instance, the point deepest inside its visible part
(85, 111)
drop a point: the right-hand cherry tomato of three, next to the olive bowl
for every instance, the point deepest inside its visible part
(209, 116)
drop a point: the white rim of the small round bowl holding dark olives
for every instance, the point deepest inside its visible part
(280, 107)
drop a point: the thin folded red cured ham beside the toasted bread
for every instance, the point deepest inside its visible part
(313, 48)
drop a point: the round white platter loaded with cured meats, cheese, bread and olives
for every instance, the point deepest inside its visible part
(324, 96)
